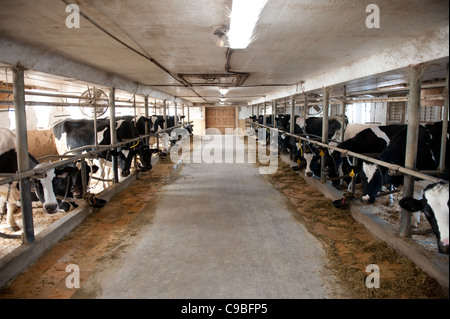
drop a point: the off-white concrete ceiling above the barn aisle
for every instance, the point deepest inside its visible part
(318, 43)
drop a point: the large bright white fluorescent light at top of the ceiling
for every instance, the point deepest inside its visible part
(243, 18)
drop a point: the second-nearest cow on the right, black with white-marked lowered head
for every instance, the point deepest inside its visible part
(374, 176)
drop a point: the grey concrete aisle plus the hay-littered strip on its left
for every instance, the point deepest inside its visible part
(213, 231)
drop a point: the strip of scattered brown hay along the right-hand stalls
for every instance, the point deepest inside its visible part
(349, 246)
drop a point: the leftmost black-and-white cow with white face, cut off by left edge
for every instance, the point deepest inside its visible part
(10, 192)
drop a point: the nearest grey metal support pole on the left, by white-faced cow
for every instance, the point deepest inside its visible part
(23, 162)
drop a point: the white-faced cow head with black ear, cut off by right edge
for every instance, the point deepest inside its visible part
(435, 205)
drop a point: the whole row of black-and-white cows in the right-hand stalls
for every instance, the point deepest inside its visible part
(384, 142)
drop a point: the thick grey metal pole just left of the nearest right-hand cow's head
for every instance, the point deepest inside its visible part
(412, 137)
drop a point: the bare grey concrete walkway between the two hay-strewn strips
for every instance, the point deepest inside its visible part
(218, 231)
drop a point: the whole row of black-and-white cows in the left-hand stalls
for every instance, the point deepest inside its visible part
(62, 186)
